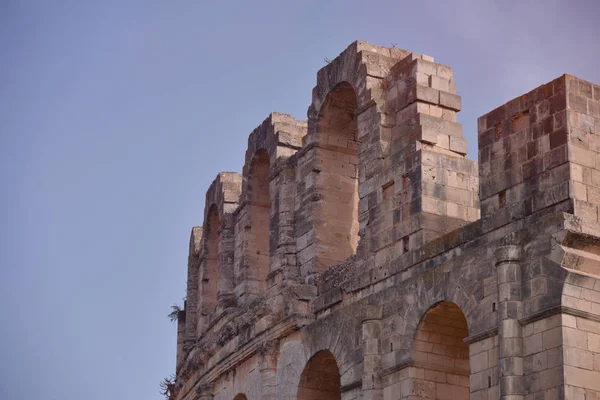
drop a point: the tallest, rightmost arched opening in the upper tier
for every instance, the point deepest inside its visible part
(336, 230)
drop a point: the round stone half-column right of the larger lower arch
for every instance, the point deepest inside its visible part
(510, 309)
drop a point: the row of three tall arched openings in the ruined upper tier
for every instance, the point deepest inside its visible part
(335, 225)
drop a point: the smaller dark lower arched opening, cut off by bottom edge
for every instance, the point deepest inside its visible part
(320, 379)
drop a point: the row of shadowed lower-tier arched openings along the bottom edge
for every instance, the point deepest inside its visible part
(439, 368)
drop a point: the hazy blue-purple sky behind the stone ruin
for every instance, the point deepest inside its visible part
(115, 116)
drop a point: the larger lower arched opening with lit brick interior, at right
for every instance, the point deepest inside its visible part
(440, 355)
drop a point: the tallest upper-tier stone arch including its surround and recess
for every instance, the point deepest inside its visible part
(358, 70)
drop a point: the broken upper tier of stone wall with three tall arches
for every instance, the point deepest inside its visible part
(349, 187)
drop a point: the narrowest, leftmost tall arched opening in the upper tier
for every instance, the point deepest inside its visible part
(209, 275)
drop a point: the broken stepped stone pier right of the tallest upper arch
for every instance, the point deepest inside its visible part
(427, 187)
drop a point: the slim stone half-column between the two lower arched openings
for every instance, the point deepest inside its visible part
(371, 381)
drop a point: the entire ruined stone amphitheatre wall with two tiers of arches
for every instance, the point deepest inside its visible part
(361, 255)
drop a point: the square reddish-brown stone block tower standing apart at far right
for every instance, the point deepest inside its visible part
(543, 149)
